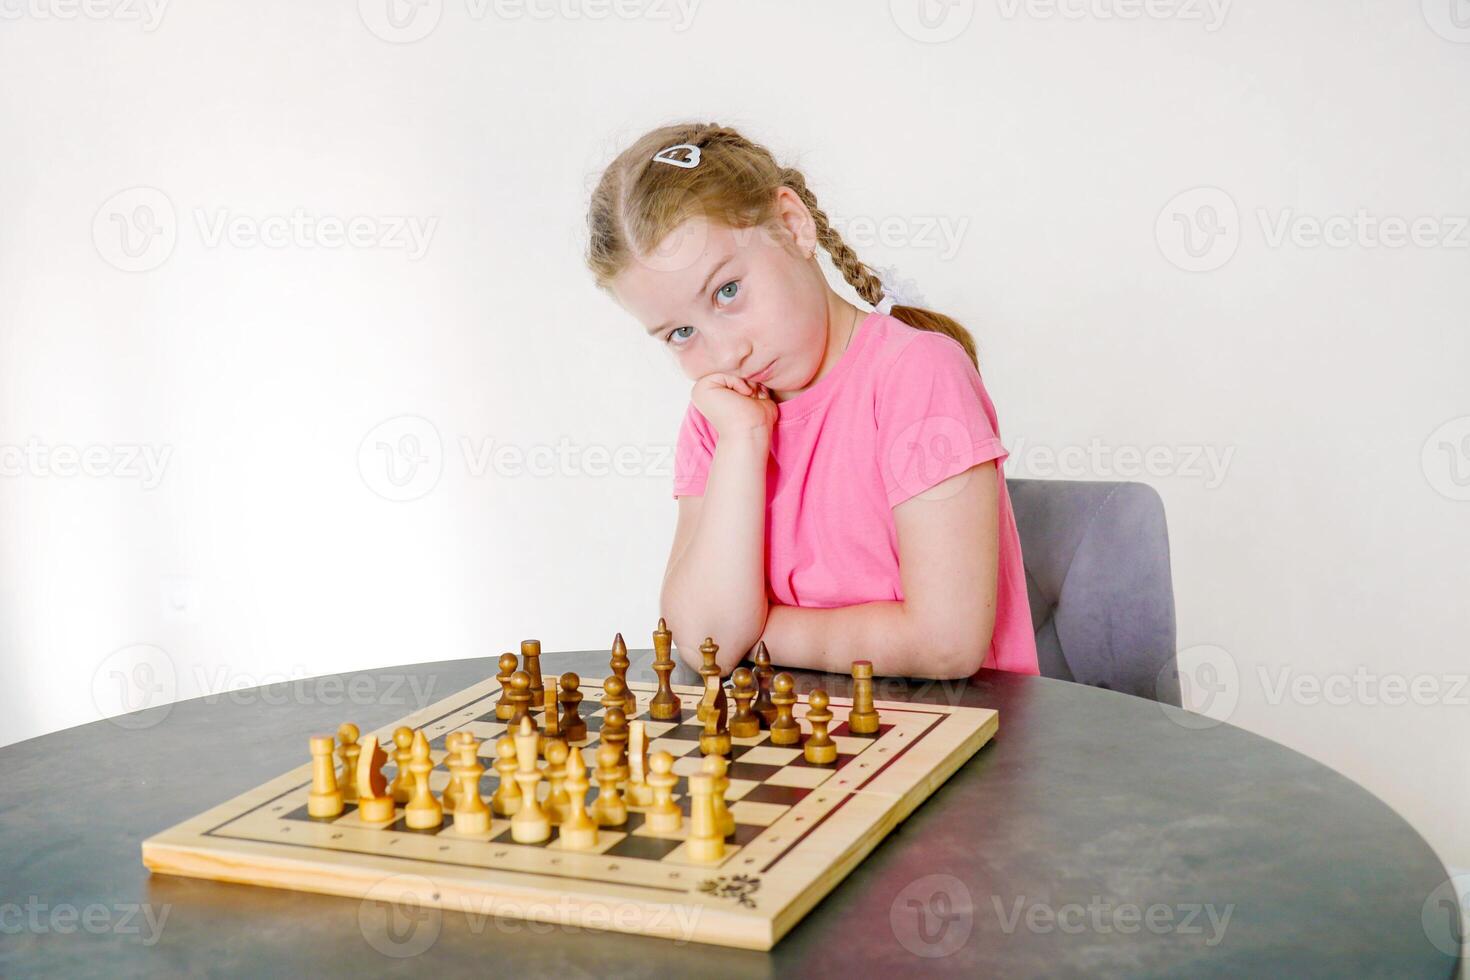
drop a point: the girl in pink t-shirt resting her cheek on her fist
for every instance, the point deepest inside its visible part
(837, 471)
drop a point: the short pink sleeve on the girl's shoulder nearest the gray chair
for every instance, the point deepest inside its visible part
(934, 418)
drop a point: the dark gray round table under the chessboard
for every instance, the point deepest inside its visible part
(1097, 835)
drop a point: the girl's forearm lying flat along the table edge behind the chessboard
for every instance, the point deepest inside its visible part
(886, 634)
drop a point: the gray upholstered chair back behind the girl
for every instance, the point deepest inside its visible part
(1097, 575)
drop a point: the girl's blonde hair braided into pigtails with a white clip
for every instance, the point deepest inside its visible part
(637, 205)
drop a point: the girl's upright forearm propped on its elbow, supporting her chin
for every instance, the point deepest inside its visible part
(718, 586)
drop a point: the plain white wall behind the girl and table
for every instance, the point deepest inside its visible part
(1024, 173)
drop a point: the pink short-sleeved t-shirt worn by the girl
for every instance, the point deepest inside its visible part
(900, 412)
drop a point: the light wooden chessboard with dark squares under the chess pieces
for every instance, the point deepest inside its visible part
(799, 829)
